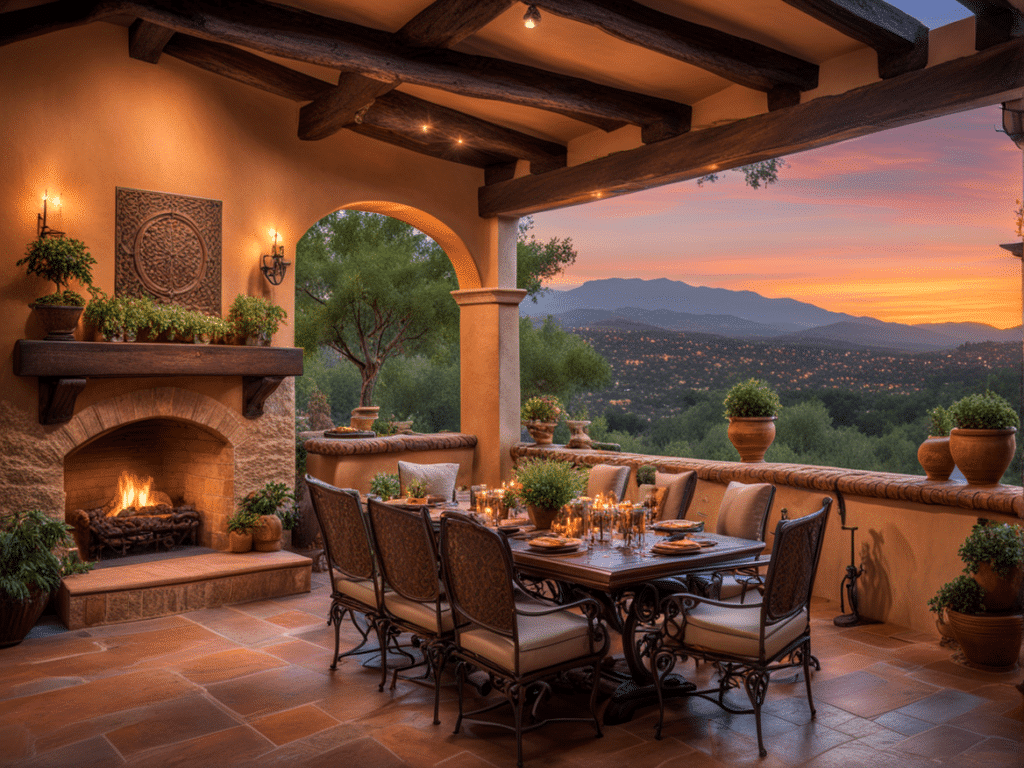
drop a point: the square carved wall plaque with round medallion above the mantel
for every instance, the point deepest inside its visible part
(168, 246)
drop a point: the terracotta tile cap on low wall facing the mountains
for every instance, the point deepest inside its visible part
(1006, 500)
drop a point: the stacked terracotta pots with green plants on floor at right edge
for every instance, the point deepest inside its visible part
(984, 604)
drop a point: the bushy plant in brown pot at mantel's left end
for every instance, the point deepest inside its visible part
(60, 261)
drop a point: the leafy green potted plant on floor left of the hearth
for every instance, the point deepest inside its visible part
(30, 570)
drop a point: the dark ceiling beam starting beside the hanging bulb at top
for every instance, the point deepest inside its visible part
(741, 61)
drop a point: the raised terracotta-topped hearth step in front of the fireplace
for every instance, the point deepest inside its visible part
(129, 593)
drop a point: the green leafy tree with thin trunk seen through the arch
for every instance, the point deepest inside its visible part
(372, 288)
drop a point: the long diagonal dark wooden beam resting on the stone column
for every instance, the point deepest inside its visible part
(987, 78)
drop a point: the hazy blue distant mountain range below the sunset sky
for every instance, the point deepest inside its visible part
(672, 306)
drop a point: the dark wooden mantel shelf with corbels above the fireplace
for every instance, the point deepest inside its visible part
(64, 369)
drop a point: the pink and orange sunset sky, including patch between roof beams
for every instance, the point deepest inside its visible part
(903, 226)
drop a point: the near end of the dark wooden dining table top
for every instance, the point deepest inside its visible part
(612, 568)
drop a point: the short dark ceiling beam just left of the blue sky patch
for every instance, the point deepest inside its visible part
(902, 41)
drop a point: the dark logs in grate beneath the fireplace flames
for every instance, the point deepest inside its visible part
(155, 528)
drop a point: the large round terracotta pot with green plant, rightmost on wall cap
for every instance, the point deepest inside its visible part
(983, 442)
